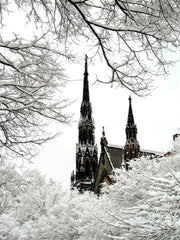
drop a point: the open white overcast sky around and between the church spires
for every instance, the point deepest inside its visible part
(157, 118)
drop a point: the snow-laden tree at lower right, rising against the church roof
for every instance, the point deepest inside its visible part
(142, 204)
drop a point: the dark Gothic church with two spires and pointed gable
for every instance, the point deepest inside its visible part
(90, 174)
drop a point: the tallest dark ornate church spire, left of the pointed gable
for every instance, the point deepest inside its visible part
(86, 149)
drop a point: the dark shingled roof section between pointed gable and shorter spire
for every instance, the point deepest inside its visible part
(116, 155)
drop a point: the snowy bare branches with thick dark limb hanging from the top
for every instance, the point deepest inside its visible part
(128, 34)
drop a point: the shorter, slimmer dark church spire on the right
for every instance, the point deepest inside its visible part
(132, 148)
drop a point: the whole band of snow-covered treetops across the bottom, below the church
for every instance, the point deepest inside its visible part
(142, 204)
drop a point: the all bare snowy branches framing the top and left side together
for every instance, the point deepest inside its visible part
(130, 37)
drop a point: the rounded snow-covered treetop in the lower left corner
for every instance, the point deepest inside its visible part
(34, 208)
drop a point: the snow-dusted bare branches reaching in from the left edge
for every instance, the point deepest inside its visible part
(31, 81)
